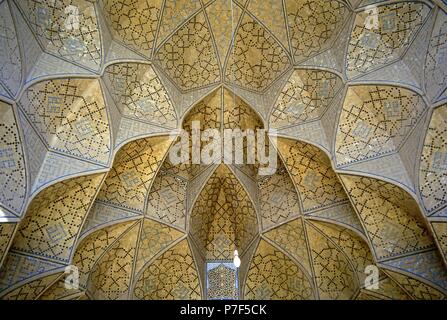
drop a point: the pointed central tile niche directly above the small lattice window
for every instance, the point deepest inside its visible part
(232, 223)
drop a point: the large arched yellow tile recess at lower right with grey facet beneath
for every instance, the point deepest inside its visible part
(396, 229)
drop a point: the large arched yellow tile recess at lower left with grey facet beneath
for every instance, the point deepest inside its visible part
(46, 237)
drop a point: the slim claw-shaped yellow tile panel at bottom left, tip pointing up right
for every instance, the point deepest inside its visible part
(110, 278)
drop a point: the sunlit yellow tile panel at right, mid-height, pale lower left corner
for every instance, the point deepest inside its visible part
(374, 121)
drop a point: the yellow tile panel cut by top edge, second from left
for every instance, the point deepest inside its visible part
(134, 22)
